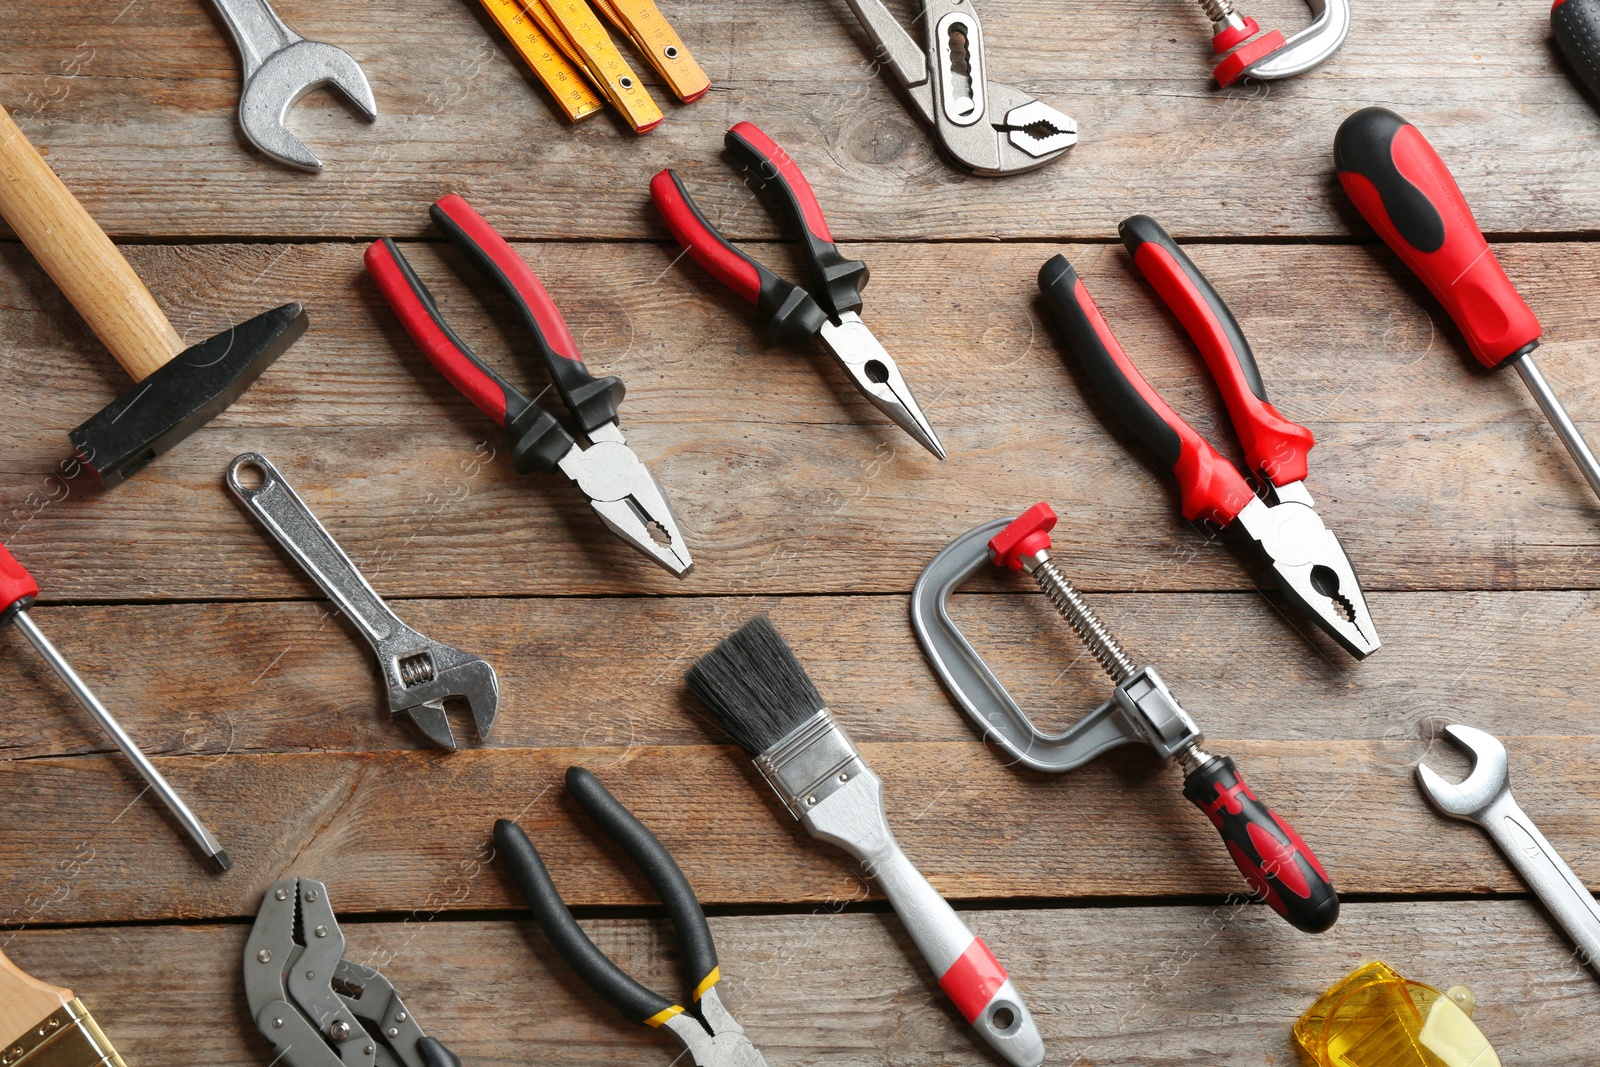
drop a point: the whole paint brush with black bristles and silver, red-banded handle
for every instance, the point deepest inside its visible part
(767, 703)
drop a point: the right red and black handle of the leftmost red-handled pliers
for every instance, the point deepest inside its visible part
(593, 401)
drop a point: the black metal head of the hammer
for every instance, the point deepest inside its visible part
(186, 394)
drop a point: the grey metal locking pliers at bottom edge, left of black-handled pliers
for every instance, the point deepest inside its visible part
(316, 1007)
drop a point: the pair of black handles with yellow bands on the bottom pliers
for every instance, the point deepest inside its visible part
(700, 953)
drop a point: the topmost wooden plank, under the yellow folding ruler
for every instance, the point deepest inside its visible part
(140, 116)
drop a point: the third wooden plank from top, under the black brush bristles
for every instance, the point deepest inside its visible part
(207, 681)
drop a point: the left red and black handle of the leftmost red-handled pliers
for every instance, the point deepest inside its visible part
(542, 439)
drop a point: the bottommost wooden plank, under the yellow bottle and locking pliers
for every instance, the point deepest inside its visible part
(1110, 986)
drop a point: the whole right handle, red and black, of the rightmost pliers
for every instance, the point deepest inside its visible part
(1274, 447)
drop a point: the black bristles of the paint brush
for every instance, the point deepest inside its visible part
(756, 687)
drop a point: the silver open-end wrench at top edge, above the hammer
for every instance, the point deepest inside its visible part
(281, 66)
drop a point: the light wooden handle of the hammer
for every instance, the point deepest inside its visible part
(76, 252)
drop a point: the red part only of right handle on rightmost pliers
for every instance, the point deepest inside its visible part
(1274, 446)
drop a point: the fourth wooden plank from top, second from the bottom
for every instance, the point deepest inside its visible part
(404, 828)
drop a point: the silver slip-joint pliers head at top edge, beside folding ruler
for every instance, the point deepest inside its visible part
(986, 127)
